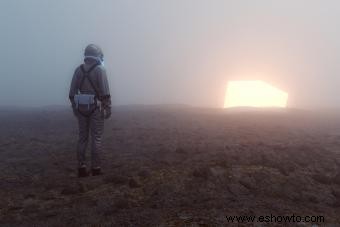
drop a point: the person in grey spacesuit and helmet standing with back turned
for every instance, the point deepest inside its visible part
(91, 103)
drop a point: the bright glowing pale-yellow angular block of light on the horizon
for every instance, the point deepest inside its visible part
(254, 94)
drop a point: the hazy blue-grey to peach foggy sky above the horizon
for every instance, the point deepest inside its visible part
(171, 51)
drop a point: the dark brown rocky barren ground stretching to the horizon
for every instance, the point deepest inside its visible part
(170, 166)
